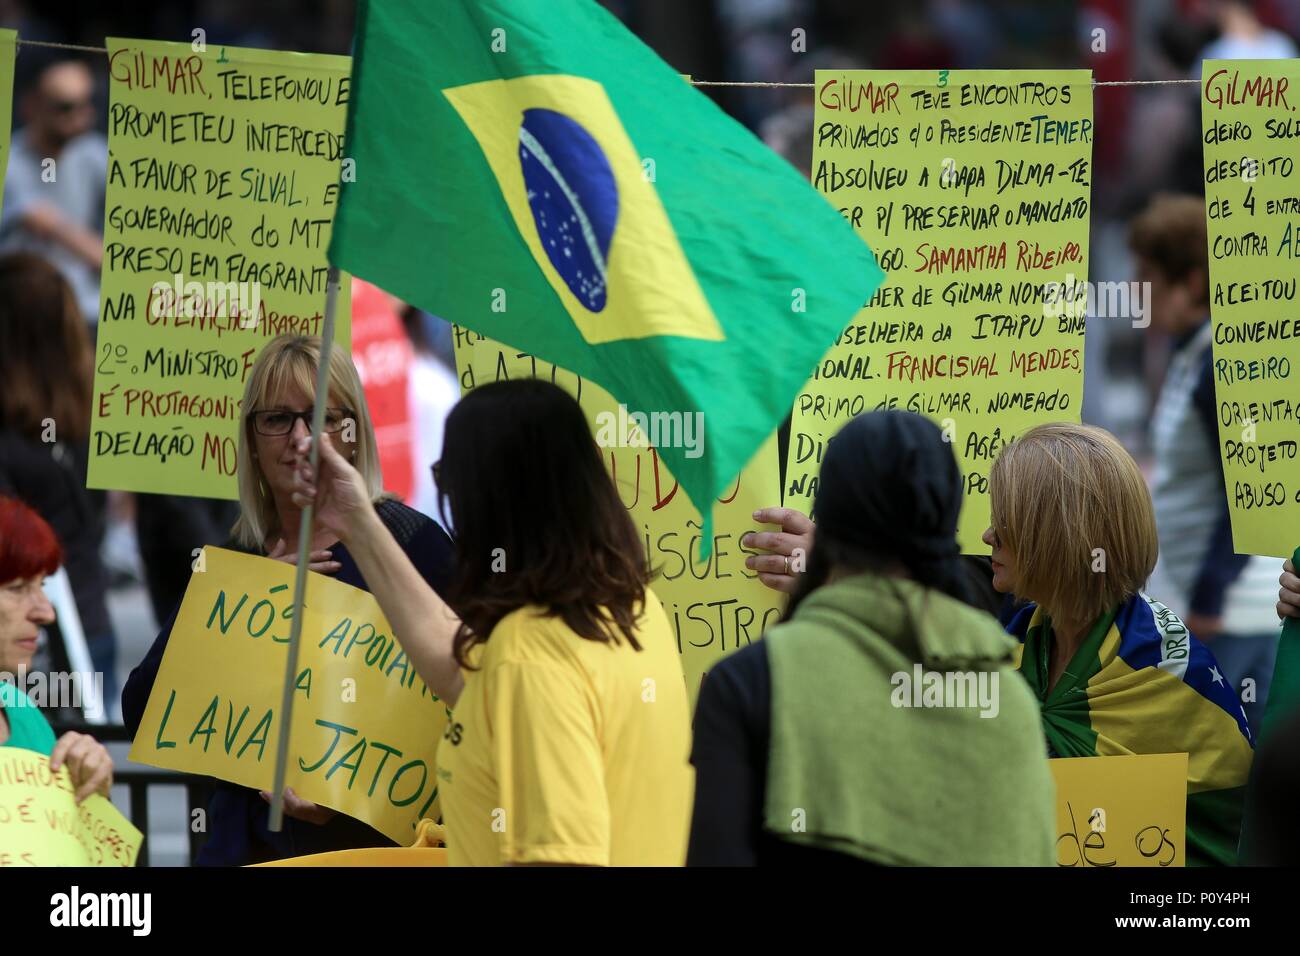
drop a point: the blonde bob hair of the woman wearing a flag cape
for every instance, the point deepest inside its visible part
(1073, 509)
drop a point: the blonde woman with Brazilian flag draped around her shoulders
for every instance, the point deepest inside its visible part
(1115, 672)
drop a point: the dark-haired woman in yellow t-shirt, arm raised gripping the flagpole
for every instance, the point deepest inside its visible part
(570, 732)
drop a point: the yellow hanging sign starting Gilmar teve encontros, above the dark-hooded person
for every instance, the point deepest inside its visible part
(973, 189)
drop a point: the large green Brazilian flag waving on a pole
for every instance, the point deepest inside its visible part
(531, 171)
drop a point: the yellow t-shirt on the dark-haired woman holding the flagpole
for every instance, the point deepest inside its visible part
(567, 751)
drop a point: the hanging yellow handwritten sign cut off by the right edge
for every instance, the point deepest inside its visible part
(1249, 118)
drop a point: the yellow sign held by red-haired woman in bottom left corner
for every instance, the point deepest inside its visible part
(42, 825)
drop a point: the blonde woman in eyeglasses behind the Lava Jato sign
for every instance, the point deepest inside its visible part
(278, 413)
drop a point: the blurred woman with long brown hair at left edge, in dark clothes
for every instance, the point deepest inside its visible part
(46, 370)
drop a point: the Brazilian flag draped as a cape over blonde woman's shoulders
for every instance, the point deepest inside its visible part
(1142, 684)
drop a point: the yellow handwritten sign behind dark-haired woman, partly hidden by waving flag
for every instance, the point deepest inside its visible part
(716, 605)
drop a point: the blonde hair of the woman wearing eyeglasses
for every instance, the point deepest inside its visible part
(289, 365)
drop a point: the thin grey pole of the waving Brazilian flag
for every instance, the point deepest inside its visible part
(305, 550)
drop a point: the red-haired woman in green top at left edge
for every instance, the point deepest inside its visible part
(29, 551)
